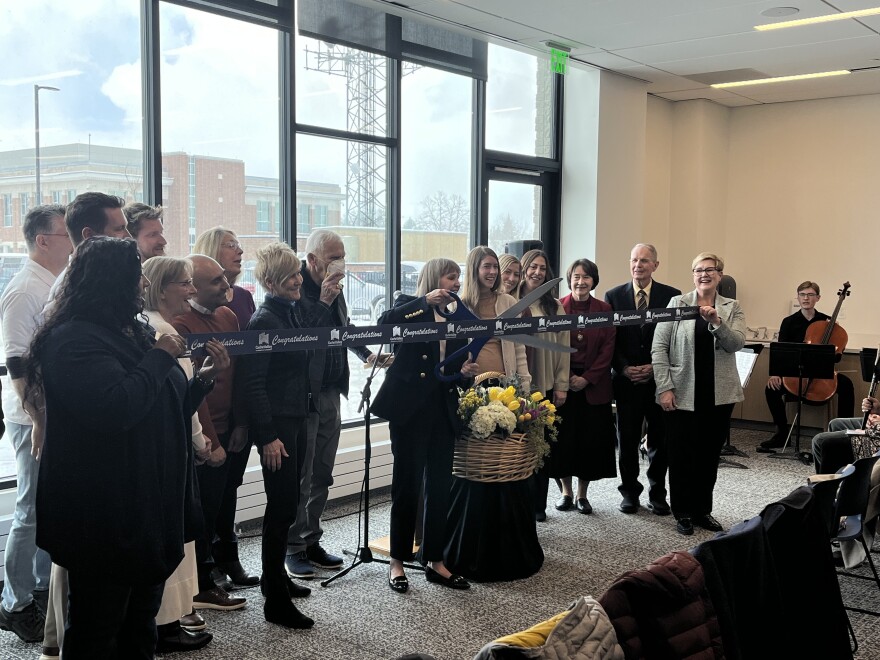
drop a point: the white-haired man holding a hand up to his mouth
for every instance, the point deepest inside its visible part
(328, 374)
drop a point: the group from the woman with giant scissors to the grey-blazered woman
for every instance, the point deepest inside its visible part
(678, 378)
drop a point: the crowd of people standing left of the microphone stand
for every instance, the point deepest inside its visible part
(130, 453)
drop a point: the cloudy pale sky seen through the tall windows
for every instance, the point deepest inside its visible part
(220, 95)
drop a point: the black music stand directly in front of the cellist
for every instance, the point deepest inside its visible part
(804, 361)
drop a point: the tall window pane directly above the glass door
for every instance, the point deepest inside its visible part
(519, 103)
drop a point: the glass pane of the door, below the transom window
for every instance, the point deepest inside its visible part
(514, 213)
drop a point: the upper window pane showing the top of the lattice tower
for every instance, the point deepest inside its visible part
(342, 88)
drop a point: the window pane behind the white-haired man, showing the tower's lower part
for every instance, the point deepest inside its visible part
(341, 185)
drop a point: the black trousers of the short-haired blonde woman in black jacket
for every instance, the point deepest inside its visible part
(282, 499)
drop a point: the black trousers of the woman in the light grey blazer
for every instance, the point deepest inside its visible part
(694, 440)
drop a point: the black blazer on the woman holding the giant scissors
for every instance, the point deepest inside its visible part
(410, 384)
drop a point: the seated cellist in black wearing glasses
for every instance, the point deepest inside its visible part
(794, 329)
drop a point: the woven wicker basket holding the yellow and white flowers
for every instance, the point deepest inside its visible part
(494, 459)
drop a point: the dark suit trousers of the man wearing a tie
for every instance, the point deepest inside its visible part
(635, 405)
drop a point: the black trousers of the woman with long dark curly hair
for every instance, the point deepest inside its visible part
(106, 620)
